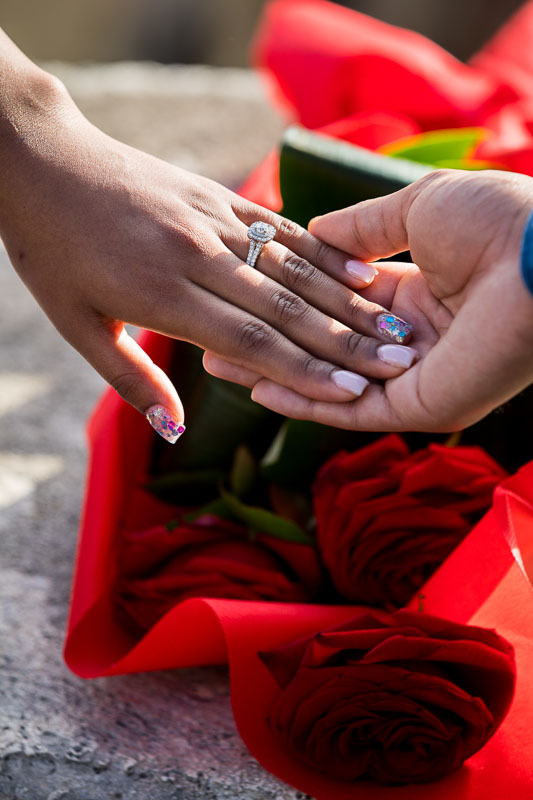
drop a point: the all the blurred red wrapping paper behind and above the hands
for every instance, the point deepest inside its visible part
(355, 78)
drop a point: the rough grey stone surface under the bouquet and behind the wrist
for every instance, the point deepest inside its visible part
(159, 736)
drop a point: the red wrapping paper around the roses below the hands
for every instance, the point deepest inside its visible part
(481, 582)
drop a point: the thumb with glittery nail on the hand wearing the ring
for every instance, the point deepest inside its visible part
(132, 373)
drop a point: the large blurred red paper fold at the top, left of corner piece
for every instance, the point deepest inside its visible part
(330, 62)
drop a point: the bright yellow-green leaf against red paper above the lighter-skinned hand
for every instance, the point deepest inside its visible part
(437, 147)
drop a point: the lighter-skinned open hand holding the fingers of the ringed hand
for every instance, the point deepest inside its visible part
(472, 312)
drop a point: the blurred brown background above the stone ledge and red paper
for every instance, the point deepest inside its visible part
(214, 31)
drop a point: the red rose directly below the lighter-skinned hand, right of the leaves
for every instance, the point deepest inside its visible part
(387, 518)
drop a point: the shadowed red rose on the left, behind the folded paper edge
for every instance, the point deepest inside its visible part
(209, 558)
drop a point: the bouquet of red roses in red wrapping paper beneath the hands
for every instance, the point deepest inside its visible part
(370, 593)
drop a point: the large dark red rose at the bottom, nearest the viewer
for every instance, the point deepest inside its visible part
(399, 698)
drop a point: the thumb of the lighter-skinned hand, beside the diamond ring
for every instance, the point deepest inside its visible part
(369, 230)
